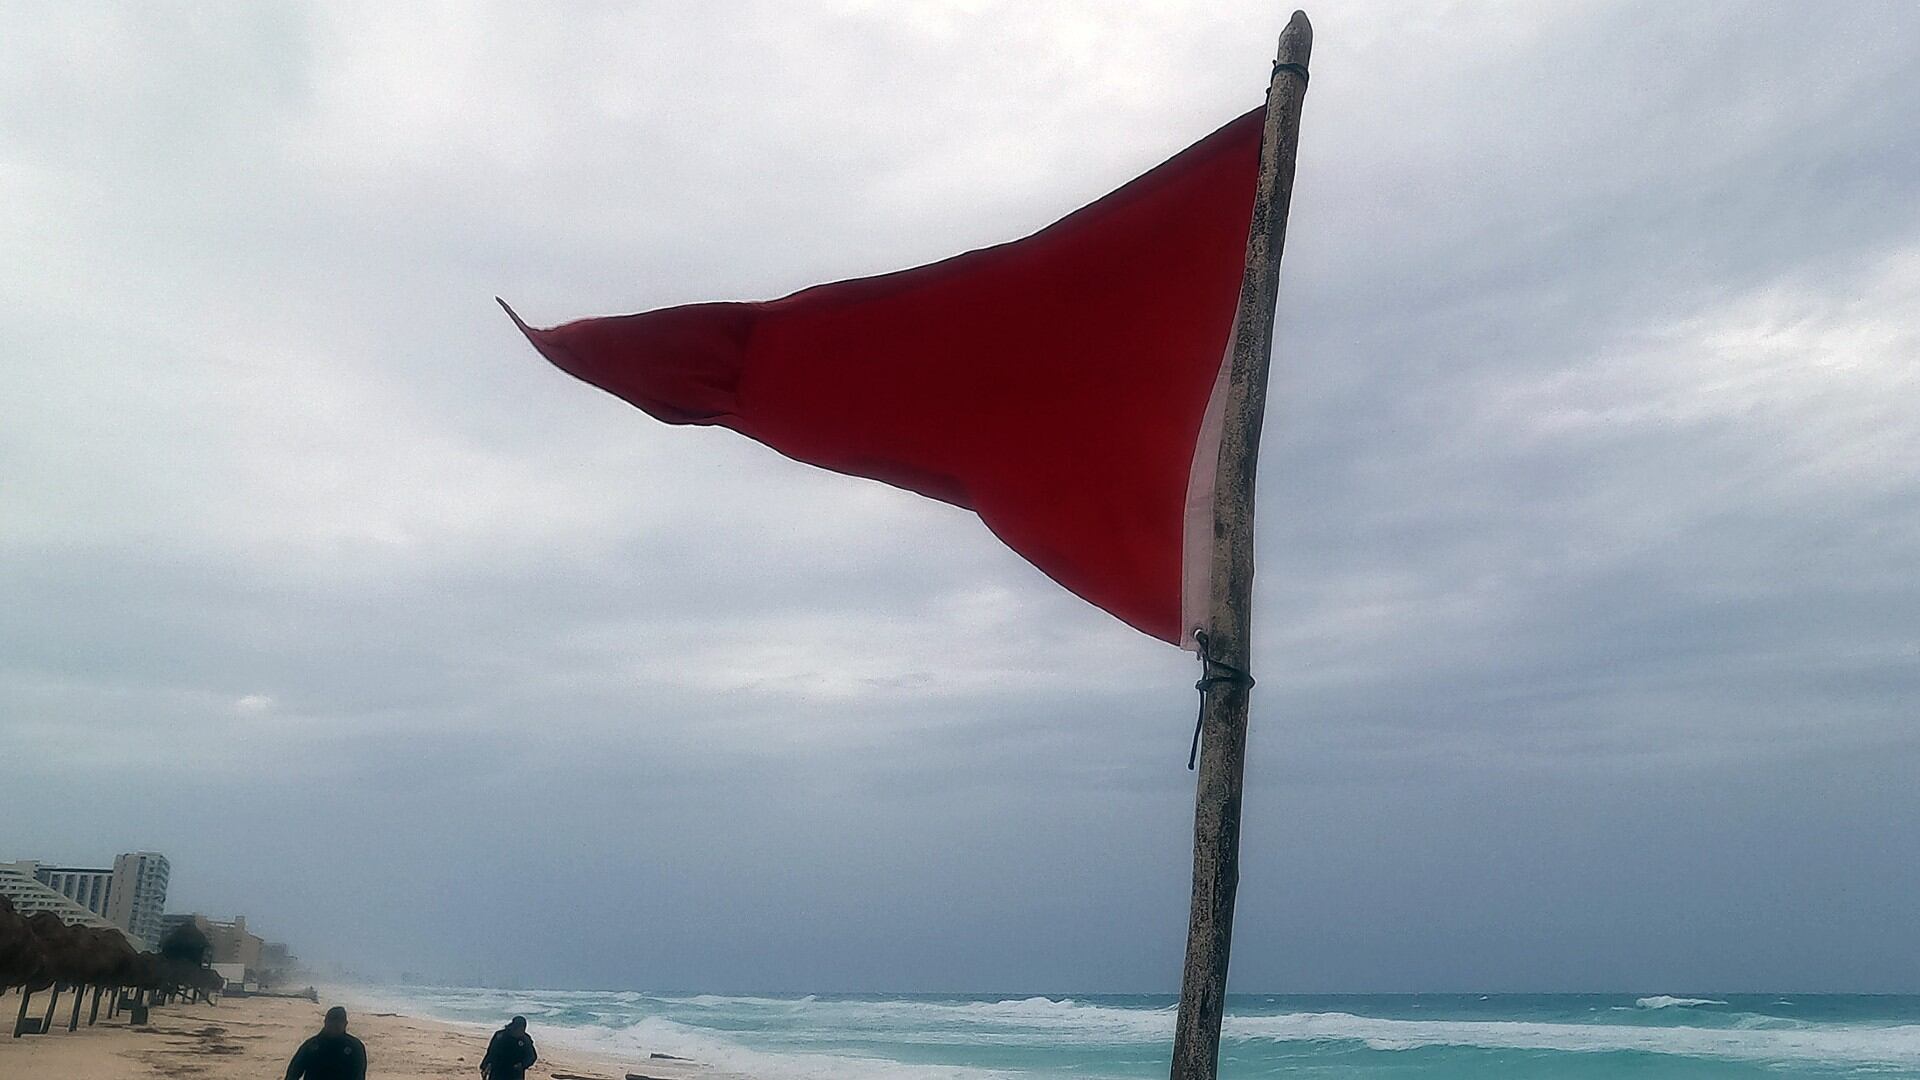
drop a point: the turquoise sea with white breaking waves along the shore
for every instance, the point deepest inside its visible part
(1126, 1037)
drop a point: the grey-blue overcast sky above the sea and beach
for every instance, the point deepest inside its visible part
(1589, 614)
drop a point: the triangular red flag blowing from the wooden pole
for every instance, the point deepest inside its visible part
(1059, 385)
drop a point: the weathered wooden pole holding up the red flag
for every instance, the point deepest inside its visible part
(1224, 712)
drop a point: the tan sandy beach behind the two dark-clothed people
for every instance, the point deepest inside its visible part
(249, 1039)
